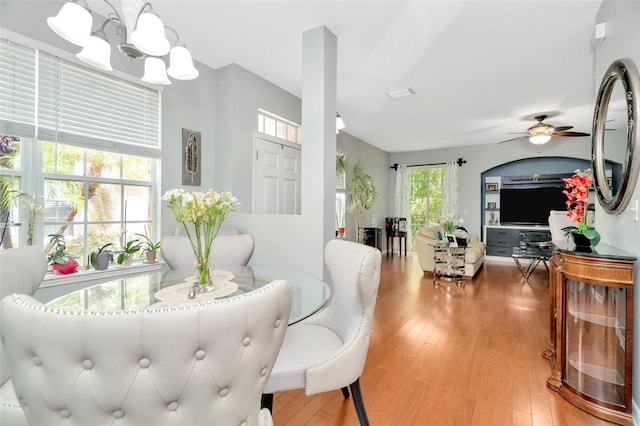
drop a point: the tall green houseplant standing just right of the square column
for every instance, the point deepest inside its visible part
(361, 195)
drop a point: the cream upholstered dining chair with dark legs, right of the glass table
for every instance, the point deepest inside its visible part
(328, 350)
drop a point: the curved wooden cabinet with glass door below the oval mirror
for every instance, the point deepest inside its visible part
(591, 314)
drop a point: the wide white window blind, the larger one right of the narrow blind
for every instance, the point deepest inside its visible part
(79, 106)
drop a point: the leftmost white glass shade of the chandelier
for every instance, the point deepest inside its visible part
(73, 23)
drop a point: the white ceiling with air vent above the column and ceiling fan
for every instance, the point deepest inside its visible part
(480, 69)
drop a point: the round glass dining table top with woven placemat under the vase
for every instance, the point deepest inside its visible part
(168, 287)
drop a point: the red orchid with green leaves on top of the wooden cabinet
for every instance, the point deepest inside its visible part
(577, 192)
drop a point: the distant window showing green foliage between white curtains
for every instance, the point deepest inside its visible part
(426, 196)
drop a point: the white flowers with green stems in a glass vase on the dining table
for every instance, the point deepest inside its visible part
(207, 211)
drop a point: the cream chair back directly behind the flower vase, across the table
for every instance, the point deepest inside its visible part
(227, 250)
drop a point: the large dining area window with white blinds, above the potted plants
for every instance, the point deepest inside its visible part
(92, 166)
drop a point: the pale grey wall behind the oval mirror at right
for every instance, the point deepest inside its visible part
(622, 40)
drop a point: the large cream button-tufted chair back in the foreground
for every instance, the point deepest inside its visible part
(201, 364)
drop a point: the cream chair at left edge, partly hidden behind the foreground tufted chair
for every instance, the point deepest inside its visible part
(21, 271)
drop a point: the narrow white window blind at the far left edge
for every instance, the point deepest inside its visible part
(17, 89)
